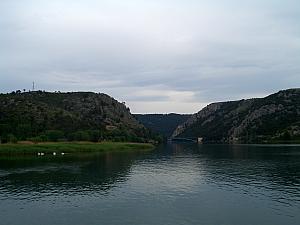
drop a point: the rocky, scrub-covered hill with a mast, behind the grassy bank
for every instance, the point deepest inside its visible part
(70, 116)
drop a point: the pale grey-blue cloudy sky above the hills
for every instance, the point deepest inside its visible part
(156, 55)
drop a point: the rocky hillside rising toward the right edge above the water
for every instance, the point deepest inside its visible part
(275, 118)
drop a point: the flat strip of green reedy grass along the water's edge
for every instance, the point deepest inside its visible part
(70, 147)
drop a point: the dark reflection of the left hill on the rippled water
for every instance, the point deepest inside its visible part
(39, 176)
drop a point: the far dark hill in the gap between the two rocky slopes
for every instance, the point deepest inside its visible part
(163, 124)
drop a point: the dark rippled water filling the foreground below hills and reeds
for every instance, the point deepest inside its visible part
(176, 184)
